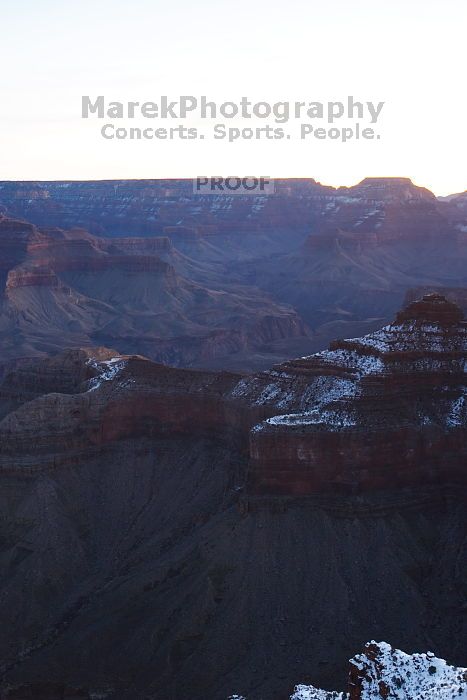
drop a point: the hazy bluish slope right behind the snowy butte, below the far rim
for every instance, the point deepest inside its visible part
(342, 280)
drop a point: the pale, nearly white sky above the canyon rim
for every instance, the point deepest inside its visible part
(409, 54)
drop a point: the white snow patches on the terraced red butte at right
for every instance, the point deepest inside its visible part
(308, 391)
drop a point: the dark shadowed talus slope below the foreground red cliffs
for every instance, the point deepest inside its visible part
(163, 605)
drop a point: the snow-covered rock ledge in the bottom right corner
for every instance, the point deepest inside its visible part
(384, 673)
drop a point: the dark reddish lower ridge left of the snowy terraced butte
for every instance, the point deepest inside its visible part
(64, 410)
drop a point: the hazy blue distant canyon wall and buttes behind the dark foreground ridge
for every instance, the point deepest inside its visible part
(218, 281)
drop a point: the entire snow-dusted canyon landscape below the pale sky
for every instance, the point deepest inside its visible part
(233, 441)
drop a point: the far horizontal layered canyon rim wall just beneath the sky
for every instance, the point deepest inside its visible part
(158, 207)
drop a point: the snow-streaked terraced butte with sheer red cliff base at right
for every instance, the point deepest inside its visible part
(385, 410)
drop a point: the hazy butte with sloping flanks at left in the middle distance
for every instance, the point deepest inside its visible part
(65, 289)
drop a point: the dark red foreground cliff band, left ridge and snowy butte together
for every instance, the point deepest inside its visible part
(379, 412)
